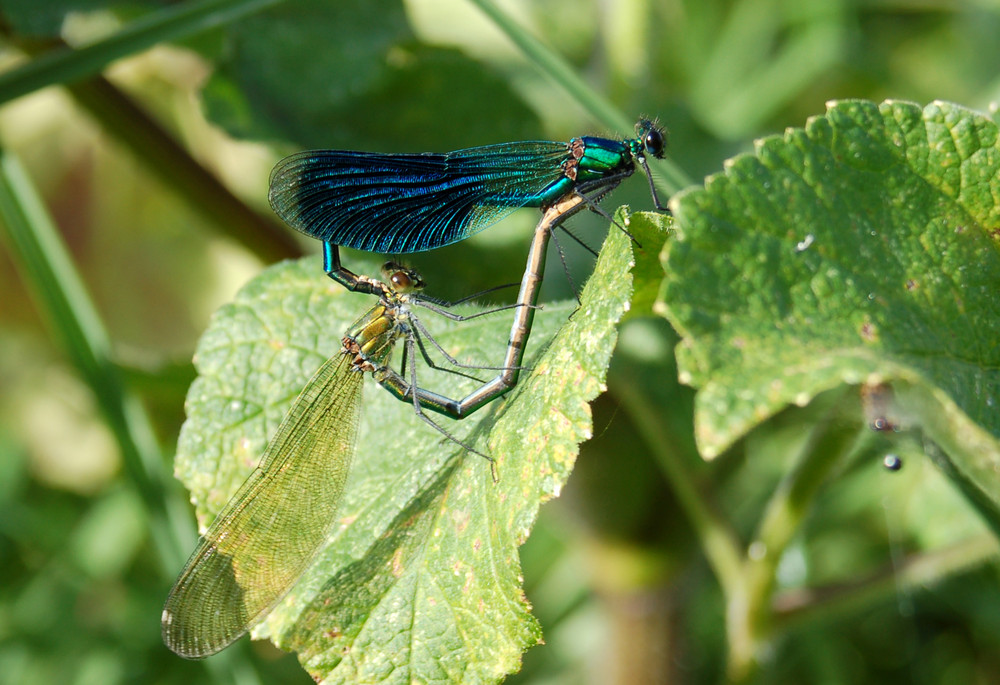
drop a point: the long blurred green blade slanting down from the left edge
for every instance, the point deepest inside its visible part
(46, 268)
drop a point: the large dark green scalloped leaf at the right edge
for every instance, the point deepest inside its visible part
(860, 249)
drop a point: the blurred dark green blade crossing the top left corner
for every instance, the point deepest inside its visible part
(176, 21)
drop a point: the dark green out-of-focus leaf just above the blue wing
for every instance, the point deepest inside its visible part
(352, 75)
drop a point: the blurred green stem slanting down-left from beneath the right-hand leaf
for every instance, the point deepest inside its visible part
(748, 613)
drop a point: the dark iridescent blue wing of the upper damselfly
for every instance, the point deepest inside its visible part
(404, 203)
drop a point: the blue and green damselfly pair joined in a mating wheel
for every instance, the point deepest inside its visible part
(272, 528)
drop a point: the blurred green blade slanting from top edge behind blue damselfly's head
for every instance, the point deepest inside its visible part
(561, 72)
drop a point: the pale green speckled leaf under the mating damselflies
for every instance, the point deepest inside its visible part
(421, 579)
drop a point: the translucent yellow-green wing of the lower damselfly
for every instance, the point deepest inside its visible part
(272, 528)
